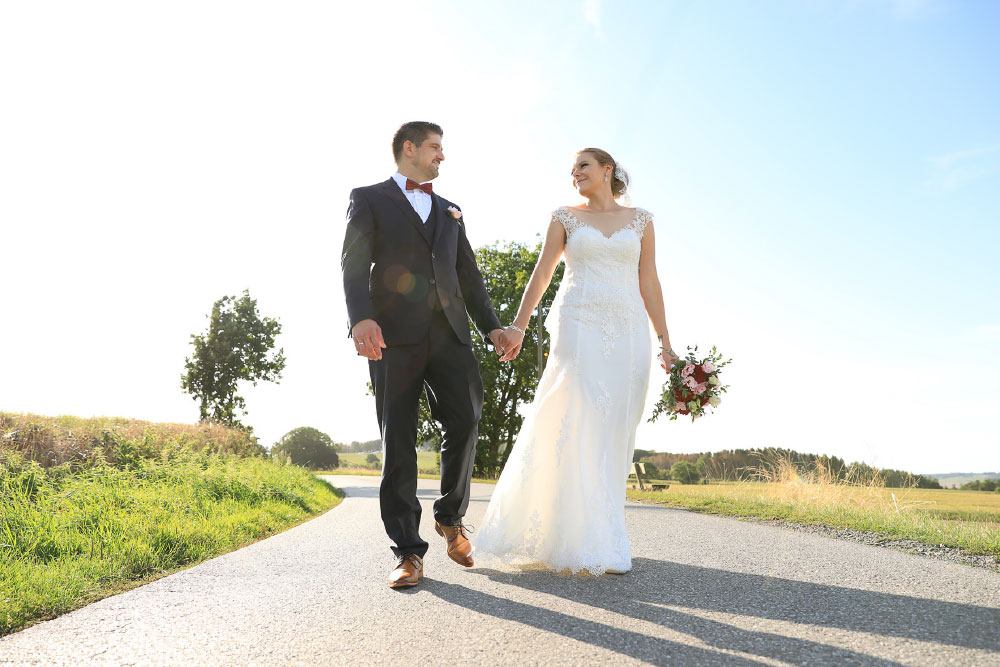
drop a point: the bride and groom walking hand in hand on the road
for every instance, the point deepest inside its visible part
(412, 283)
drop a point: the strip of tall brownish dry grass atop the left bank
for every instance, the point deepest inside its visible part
(53, 441)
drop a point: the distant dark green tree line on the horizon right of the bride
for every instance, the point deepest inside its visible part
(756, 464)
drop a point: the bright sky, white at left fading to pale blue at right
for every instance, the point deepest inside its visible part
(825, 178)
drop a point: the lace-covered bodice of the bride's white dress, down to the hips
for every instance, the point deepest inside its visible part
(601, 284)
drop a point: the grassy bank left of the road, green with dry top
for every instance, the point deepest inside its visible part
(128, 504)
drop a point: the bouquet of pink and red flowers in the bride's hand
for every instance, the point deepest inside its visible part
(692, 386)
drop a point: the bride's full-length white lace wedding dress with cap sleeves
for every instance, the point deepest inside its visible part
(560, 500)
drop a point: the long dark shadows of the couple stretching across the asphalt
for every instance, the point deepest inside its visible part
(652, 585)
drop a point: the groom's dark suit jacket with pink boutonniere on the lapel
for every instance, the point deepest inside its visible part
(398, 269)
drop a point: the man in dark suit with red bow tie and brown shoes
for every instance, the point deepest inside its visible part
(411, 282)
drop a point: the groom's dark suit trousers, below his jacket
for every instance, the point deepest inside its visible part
(450, 372)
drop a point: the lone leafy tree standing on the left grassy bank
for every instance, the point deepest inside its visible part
(237, 346)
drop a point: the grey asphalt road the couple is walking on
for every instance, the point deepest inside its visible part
(704, 591)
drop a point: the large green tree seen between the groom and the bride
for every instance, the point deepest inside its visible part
(506, 269)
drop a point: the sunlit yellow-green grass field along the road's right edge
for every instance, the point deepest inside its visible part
(969, 520)
